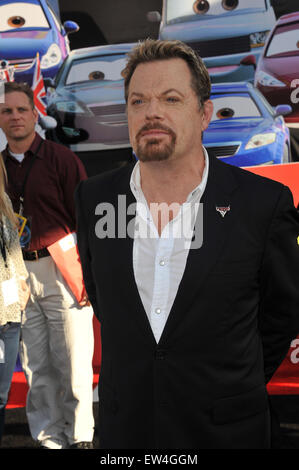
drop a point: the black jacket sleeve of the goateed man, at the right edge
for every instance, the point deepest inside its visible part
(279, 308)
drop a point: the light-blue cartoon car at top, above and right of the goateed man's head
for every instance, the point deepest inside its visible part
(223, 32)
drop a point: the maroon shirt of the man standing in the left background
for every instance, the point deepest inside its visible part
(49, 192)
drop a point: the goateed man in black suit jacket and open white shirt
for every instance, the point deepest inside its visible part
(196, 286)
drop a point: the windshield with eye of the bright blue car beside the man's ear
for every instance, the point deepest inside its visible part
(239, 106)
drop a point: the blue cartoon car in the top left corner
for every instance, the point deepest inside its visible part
(29, 27)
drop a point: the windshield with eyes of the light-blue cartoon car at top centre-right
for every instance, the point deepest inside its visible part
(180, 11)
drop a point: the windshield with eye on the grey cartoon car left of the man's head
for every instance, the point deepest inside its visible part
(97, 68)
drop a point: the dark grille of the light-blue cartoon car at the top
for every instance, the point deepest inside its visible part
(226, 46)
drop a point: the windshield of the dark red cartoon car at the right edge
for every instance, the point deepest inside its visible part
(284, 41)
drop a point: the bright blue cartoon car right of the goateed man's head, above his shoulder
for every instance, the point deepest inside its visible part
(245, 130)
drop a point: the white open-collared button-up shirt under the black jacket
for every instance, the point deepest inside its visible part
(159, 261)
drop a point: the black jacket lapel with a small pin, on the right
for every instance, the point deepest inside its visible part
(220, 192)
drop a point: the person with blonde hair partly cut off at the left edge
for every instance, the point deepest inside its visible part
(14, 293)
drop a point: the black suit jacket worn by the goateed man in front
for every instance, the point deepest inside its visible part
(236, 311)
